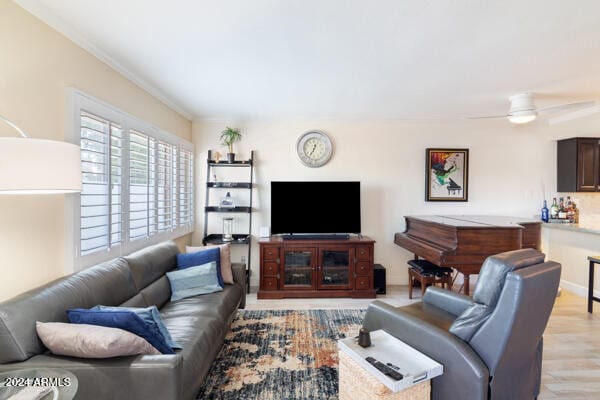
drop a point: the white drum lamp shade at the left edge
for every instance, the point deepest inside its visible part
(39, 166)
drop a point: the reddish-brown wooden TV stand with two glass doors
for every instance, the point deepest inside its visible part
(316, 268)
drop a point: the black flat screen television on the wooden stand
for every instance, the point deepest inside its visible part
(315, 207)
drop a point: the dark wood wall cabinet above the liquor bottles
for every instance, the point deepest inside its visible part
(578, 165)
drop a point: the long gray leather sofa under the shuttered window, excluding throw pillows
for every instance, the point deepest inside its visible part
(199, 324)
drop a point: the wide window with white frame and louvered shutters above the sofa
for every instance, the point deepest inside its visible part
(137, 183)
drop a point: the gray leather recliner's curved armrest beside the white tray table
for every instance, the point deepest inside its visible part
(465, 375)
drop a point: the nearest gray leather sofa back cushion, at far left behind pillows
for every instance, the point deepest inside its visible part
(108, 283)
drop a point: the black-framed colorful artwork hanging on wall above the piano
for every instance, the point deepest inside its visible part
(447, 174)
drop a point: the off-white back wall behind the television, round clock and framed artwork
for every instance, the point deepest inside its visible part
(511, 171)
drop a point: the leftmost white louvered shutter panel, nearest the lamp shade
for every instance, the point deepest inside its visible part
(101, 165)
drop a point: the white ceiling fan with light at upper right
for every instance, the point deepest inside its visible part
(523, 110)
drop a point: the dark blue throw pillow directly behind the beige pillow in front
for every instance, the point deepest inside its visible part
(122, 319)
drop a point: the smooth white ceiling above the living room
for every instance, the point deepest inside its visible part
(349, 59)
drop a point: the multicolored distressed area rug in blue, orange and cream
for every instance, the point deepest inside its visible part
(281, 355)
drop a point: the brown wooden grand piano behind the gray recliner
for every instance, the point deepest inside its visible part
(463, 242)
